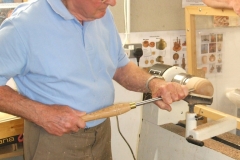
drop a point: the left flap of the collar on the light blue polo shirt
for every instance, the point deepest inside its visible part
(60, 9)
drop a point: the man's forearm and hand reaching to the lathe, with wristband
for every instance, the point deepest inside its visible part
(134, 78)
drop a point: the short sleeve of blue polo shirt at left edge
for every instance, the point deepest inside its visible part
(12, 52)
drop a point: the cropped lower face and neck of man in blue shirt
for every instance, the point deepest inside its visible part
(87, 10)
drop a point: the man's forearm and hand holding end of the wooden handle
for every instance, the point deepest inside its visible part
(55, 119)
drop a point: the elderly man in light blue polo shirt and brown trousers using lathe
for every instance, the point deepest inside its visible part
(63, 56)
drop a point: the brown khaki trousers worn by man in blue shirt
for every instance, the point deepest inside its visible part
(87, 144)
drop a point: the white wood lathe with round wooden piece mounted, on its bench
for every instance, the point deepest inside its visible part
(163, 137)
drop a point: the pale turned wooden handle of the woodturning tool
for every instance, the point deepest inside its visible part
(110, 111)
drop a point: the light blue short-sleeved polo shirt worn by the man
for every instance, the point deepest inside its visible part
(54, 59)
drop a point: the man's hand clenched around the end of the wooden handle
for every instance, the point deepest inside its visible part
(58, 119)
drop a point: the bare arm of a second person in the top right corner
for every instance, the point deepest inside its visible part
(231, 4)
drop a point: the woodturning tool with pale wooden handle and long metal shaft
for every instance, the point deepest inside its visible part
(118, 109)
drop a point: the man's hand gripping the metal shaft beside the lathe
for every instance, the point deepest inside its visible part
(169, 91)
